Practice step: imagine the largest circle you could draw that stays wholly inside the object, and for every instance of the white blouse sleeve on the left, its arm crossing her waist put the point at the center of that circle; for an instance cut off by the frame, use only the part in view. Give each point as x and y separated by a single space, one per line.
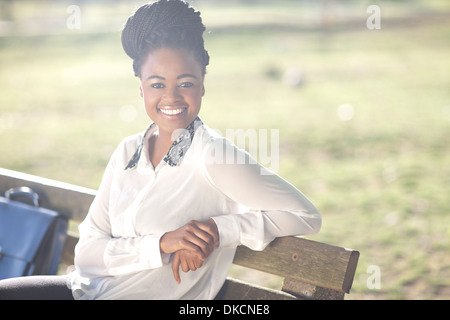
99 253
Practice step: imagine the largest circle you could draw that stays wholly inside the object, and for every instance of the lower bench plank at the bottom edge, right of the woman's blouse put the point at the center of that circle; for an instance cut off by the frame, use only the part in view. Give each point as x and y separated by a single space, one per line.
234 289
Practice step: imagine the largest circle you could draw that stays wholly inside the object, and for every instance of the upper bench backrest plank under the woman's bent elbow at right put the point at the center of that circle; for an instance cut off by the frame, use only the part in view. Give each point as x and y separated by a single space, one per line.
303 260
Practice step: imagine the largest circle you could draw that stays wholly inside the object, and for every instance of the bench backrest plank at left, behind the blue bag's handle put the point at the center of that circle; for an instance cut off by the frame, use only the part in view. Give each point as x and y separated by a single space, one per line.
70 200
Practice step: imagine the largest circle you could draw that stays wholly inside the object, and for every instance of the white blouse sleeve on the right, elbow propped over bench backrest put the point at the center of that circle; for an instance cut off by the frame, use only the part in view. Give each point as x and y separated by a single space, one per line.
275 207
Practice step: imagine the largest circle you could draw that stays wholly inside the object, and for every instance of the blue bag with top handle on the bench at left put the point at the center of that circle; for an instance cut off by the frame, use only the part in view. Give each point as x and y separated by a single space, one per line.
31 238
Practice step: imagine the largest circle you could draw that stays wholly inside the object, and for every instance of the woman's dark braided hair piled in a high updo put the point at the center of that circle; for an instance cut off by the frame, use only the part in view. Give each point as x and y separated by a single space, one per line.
165 23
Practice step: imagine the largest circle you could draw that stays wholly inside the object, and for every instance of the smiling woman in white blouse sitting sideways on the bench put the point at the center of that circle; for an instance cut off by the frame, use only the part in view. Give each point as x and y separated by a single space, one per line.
170 199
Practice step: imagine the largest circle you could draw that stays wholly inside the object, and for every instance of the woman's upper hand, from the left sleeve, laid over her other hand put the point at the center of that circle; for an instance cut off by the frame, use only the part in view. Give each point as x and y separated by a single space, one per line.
197 237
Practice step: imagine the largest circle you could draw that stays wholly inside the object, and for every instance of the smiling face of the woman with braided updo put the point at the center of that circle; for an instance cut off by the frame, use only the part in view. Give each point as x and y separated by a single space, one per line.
172 88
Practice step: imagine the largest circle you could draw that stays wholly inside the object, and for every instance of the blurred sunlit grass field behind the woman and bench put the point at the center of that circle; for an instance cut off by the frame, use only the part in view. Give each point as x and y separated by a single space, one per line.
359 91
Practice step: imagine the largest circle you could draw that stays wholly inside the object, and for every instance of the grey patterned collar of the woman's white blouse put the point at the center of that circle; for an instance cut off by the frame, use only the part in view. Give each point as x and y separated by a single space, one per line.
178 148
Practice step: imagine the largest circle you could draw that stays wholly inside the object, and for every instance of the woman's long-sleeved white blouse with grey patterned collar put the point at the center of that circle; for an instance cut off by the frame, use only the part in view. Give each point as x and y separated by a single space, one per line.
118 254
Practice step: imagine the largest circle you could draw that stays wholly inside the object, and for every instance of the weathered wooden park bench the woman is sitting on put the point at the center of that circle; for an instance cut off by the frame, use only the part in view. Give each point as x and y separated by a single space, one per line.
311 270
